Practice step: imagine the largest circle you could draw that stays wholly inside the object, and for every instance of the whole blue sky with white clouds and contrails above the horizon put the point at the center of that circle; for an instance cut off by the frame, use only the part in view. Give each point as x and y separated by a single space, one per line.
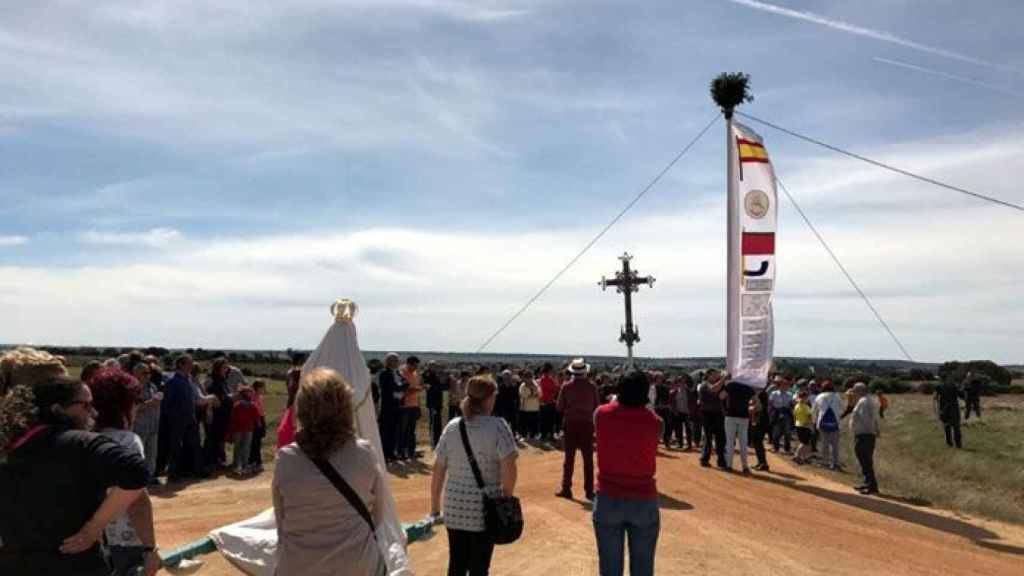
217 174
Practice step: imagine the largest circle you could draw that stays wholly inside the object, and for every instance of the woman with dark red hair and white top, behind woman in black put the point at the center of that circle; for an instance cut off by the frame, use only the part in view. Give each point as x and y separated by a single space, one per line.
116 397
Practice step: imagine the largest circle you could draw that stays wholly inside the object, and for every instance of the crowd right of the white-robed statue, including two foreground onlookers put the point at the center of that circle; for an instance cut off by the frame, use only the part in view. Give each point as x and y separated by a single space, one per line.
621 418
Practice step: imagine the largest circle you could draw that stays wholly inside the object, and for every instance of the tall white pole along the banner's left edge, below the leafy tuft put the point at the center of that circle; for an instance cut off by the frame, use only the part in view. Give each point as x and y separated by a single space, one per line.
733 265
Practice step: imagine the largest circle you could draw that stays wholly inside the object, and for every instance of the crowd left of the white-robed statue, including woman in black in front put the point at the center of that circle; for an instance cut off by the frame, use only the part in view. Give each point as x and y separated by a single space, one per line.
77 456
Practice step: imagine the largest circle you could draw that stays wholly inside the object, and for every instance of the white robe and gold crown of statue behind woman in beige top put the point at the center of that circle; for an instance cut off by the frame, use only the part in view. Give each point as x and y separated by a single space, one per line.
251 545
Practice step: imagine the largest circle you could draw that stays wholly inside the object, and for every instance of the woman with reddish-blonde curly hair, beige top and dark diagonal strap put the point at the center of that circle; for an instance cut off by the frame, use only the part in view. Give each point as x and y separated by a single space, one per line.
325 524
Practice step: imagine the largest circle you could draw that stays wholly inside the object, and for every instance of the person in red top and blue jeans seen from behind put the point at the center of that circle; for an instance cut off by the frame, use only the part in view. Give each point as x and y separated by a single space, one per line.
626 507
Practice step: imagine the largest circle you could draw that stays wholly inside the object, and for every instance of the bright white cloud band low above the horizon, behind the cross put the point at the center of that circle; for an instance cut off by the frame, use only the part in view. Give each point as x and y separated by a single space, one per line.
437 291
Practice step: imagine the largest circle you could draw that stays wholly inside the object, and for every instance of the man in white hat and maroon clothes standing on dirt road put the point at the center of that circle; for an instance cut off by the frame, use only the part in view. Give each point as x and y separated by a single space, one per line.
578 401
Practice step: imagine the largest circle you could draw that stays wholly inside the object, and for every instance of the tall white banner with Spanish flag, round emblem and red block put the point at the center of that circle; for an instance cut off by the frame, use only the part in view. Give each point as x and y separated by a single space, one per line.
753 222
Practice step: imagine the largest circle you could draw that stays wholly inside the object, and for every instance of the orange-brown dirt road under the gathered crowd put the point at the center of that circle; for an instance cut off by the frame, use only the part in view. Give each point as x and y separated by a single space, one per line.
786 522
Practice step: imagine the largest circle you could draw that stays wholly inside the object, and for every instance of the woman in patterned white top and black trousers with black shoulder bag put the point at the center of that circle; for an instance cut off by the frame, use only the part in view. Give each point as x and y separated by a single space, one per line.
471 548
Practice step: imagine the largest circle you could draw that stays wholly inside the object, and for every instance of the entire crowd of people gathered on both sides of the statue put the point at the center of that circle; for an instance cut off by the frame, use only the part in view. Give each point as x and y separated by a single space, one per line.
125 423
